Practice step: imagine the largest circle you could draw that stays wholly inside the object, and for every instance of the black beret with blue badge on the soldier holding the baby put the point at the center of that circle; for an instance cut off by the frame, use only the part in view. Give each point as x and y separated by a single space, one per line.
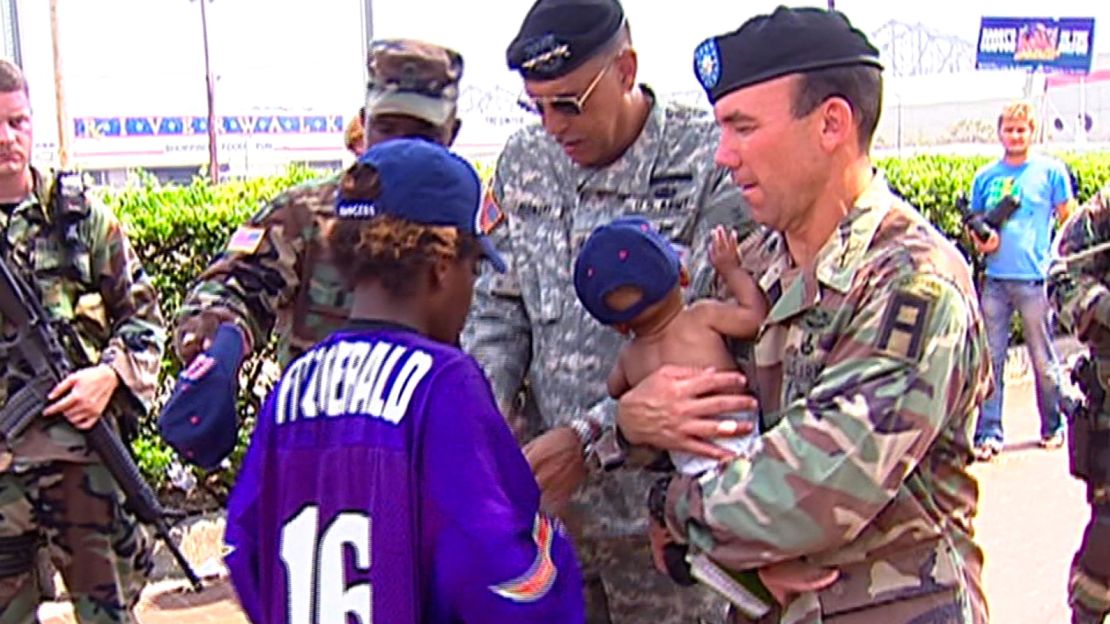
786 42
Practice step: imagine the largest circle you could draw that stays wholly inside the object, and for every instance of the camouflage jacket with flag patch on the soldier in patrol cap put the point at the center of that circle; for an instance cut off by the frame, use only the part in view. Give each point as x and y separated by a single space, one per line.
277 274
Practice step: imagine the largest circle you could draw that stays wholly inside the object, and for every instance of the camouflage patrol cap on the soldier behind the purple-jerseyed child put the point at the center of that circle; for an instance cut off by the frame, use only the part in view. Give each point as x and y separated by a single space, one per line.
415 79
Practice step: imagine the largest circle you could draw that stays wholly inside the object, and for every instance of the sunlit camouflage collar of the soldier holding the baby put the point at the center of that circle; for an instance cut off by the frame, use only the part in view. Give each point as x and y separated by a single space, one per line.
844 253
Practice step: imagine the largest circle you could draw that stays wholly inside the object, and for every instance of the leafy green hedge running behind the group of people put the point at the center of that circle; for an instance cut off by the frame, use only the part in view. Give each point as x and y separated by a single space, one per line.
177 230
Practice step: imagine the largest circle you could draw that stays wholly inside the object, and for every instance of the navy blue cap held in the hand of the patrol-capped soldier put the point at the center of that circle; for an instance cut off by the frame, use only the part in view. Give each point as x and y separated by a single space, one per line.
199 421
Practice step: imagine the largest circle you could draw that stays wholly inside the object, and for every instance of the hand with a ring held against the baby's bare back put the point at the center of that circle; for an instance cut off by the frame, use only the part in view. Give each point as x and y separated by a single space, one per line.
679 409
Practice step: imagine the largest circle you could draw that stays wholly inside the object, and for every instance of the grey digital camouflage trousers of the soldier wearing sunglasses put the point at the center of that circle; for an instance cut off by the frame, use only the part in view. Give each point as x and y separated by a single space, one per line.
622 587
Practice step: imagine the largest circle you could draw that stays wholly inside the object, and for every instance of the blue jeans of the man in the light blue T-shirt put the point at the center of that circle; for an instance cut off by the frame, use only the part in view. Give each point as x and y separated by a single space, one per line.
1000 299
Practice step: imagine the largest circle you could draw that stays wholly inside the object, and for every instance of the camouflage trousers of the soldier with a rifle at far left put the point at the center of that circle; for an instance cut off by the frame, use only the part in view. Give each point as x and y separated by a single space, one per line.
103 555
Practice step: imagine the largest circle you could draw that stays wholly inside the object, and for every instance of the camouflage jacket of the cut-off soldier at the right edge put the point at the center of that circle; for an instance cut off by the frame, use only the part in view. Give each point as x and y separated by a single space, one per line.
1079 280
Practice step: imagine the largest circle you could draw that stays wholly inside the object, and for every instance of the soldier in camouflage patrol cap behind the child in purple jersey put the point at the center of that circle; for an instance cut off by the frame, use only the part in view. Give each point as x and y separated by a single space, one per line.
277 270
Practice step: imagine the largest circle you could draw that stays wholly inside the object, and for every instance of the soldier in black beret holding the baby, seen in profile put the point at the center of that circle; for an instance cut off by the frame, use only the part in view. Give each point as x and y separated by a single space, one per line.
871 367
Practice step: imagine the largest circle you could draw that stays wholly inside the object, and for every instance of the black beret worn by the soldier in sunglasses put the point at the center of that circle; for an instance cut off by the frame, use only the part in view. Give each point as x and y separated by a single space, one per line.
559 36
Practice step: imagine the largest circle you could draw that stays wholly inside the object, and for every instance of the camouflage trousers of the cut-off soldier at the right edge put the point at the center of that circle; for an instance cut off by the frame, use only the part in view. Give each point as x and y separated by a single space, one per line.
1089 590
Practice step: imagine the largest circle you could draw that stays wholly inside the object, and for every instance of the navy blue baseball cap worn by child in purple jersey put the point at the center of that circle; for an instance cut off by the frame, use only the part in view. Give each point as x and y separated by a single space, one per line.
427 184
